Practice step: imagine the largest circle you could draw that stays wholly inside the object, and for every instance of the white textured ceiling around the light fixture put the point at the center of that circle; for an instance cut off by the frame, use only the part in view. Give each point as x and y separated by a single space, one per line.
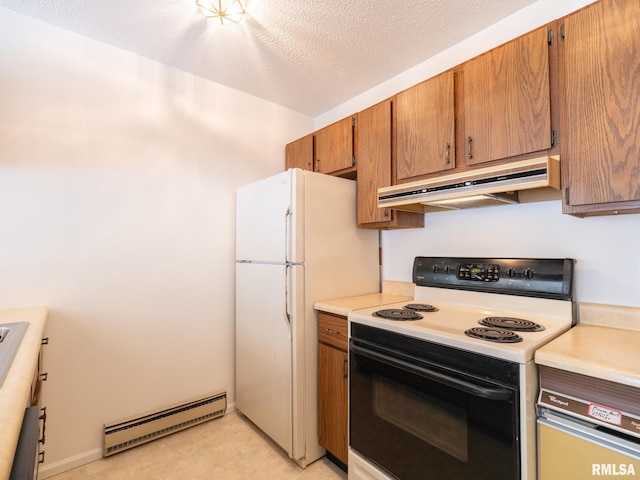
308 55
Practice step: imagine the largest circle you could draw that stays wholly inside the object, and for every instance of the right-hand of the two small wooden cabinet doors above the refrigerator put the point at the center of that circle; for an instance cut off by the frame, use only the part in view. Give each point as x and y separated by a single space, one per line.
334 146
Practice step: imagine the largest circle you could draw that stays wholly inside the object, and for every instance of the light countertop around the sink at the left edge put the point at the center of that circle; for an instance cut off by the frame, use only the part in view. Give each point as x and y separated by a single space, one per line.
15 392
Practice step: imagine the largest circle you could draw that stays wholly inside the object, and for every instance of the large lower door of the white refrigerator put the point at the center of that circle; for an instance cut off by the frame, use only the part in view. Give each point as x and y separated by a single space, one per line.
264 350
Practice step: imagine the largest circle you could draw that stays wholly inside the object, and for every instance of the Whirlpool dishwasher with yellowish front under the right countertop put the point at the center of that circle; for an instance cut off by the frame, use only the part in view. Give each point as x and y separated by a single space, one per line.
587 427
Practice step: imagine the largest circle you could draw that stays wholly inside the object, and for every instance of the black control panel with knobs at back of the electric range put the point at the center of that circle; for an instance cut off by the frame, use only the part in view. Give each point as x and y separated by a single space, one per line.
551 277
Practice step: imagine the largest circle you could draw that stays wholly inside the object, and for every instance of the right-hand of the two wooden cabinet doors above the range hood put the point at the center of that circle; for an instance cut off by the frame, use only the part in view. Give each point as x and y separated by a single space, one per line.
507 107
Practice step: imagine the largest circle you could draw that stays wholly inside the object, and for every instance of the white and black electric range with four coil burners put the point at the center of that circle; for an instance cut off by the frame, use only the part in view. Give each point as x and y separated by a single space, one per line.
420 378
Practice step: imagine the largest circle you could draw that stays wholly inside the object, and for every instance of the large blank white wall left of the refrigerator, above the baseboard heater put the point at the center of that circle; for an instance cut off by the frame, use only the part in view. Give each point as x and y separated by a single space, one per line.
117 184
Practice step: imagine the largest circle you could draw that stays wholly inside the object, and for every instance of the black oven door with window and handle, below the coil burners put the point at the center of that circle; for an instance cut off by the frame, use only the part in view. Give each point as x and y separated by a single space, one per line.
420 419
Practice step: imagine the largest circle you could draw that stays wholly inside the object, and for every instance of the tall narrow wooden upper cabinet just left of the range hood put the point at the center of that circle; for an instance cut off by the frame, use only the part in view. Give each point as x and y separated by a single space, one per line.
374 153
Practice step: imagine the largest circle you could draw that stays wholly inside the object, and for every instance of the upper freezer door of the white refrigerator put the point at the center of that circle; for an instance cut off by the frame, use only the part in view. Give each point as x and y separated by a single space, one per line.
266 215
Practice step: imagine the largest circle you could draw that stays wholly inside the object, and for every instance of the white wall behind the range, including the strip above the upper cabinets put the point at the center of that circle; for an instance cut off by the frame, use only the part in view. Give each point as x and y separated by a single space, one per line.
606 248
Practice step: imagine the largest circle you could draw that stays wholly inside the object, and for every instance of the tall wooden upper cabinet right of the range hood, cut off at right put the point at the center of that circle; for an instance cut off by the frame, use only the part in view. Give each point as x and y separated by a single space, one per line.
600 108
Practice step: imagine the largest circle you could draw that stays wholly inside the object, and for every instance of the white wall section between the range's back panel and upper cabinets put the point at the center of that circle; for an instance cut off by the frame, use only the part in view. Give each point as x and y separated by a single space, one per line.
605 248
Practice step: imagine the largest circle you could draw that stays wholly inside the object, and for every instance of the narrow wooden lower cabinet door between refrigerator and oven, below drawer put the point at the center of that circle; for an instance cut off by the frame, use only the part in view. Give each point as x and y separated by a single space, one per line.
333 371
